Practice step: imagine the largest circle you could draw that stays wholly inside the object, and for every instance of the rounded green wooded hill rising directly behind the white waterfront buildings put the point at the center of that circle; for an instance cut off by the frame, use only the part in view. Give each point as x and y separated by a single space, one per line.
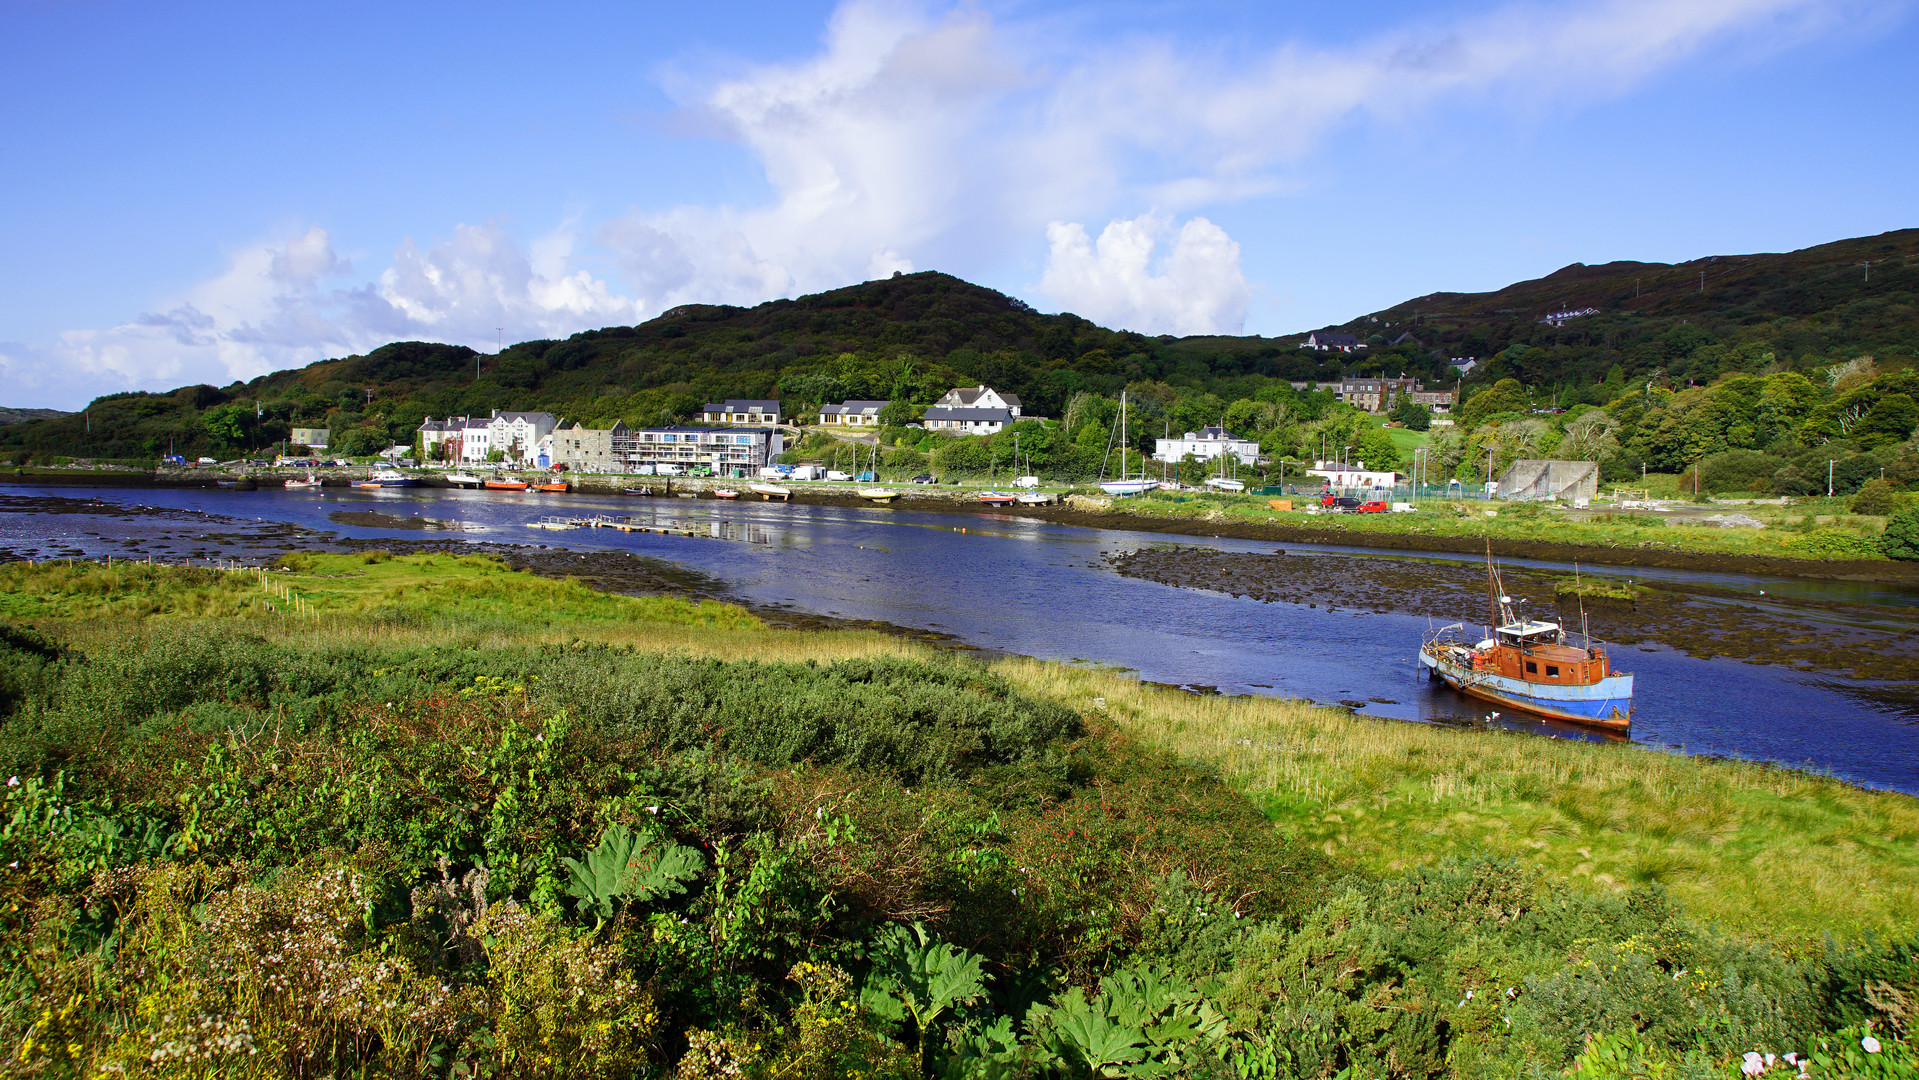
911 337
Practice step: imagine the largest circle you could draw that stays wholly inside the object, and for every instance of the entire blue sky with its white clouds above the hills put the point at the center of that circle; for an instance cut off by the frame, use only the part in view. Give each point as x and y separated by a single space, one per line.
208 193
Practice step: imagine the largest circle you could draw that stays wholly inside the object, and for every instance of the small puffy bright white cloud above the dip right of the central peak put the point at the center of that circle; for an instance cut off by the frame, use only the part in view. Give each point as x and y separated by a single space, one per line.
1195 289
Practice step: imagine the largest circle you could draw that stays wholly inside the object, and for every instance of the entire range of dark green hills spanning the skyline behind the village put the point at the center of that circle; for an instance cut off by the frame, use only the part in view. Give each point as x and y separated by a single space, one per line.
914 337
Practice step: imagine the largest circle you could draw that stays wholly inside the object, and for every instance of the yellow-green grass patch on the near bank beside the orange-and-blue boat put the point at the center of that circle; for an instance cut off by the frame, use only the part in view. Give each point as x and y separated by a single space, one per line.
1770 851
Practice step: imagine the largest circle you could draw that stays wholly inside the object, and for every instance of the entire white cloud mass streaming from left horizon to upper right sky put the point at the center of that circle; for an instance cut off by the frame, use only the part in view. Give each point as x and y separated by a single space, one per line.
937 139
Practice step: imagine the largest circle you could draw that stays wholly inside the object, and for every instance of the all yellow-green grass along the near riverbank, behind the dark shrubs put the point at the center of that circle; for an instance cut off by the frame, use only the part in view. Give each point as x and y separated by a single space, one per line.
1770 851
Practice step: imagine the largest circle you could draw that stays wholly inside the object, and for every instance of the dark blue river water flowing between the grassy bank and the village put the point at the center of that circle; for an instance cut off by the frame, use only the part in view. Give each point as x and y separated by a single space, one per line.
1031 588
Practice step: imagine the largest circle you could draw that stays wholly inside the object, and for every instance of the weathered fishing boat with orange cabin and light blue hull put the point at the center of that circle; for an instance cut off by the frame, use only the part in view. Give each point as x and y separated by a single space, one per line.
1530 665
